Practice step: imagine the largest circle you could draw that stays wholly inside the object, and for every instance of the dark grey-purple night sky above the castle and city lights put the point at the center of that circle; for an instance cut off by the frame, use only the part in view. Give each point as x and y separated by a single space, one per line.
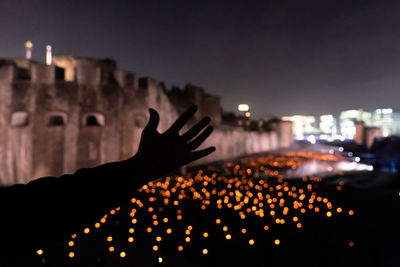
281 57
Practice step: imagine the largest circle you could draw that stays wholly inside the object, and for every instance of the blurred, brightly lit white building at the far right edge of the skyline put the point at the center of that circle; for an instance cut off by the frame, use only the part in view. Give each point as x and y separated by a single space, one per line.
388 120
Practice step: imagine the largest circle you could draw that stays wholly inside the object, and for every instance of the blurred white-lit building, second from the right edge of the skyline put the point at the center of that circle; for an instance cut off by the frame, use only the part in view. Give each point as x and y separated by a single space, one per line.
347 119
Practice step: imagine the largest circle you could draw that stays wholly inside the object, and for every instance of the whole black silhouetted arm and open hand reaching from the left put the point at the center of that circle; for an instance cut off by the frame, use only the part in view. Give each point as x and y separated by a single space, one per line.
49 209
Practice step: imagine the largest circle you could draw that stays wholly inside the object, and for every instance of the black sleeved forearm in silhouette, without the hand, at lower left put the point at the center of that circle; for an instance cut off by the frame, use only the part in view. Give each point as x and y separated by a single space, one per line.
50 209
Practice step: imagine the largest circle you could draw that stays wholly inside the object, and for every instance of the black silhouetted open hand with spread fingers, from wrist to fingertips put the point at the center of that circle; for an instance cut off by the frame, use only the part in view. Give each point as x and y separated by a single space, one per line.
159 154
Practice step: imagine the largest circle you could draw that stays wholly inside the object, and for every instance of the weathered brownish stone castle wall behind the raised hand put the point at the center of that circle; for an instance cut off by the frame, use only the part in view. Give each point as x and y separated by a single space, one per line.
83 112
